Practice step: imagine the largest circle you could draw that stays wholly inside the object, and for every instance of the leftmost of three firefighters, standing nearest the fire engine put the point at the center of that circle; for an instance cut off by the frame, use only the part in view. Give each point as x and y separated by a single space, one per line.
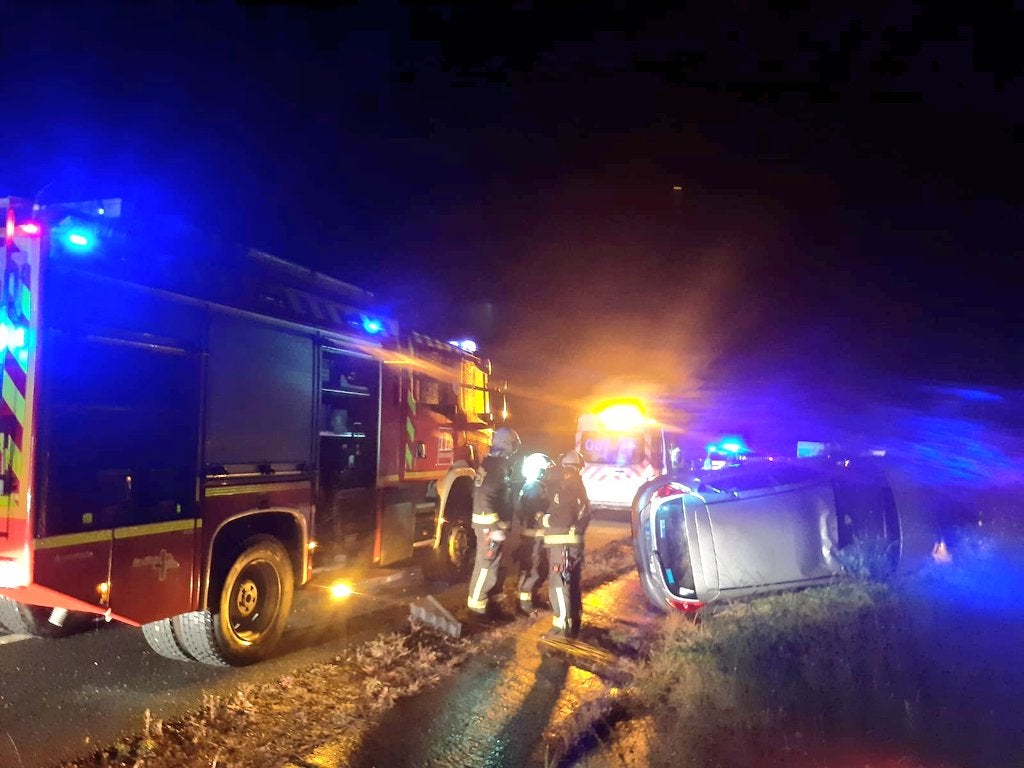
492 519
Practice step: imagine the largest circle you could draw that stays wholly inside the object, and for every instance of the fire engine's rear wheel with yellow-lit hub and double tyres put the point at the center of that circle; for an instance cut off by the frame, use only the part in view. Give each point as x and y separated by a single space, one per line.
250 614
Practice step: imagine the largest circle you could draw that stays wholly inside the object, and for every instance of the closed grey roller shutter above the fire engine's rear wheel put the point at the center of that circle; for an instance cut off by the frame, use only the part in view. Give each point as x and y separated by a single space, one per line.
260 395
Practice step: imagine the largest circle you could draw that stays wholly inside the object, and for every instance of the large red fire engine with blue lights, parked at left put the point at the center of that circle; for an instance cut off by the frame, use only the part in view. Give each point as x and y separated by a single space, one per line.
187 425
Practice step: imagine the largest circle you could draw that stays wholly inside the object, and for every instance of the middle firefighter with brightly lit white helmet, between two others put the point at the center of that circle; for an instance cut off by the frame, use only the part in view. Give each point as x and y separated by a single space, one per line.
533 505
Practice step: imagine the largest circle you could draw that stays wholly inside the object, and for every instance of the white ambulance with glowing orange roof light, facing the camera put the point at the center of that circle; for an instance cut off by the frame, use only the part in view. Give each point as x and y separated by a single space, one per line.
623 449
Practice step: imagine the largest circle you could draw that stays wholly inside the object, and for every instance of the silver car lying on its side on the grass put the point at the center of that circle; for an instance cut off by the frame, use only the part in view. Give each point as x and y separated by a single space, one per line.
765 526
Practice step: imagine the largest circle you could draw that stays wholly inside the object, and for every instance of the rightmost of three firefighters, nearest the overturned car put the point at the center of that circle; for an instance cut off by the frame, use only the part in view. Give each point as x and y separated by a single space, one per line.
566 524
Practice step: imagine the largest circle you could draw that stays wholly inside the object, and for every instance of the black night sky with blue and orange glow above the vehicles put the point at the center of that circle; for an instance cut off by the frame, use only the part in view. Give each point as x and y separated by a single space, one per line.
850 182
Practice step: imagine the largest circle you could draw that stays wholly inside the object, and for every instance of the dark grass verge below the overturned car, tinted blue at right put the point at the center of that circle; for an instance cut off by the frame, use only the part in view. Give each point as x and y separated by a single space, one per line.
919 672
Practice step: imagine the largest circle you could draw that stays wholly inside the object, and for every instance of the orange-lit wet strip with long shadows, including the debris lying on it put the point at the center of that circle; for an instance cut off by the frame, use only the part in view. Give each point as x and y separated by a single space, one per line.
527 700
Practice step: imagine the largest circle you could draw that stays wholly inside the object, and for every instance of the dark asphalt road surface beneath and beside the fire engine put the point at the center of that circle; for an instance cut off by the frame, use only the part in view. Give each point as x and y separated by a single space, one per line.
61 700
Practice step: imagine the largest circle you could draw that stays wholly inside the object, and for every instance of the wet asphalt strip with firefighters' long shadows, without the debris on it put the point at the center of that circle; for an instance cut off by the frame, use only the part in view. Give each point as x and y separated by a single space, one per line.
506 708
